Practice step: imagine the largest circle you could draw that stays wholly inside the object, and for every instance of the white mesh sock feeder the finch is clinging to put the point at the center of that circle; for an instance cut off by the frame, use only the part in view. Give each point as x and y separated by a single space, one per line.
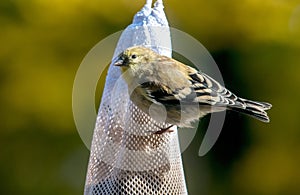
126 156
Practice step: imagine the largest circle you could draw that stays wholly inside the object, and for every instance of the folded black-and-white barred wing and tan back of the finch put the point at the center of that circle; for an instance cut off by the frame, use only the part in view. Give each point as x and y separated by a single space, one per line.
182 83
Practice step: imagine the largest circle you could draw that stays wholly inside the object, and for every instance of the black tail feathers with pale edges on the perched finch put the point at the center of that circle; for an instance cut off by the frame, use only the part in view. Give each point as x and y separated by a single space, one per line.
254 109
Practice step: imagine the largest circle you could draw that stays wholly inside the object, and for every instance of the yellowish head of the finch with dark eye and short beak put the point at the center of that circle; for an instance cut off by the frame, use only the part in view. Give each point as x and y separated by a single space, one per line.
133 58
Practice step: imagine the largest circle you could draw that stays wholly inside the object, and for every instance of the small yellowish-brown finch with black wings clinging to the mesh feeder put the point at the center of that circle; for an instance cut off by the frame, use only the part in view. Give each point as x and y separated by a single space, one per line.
187 94
